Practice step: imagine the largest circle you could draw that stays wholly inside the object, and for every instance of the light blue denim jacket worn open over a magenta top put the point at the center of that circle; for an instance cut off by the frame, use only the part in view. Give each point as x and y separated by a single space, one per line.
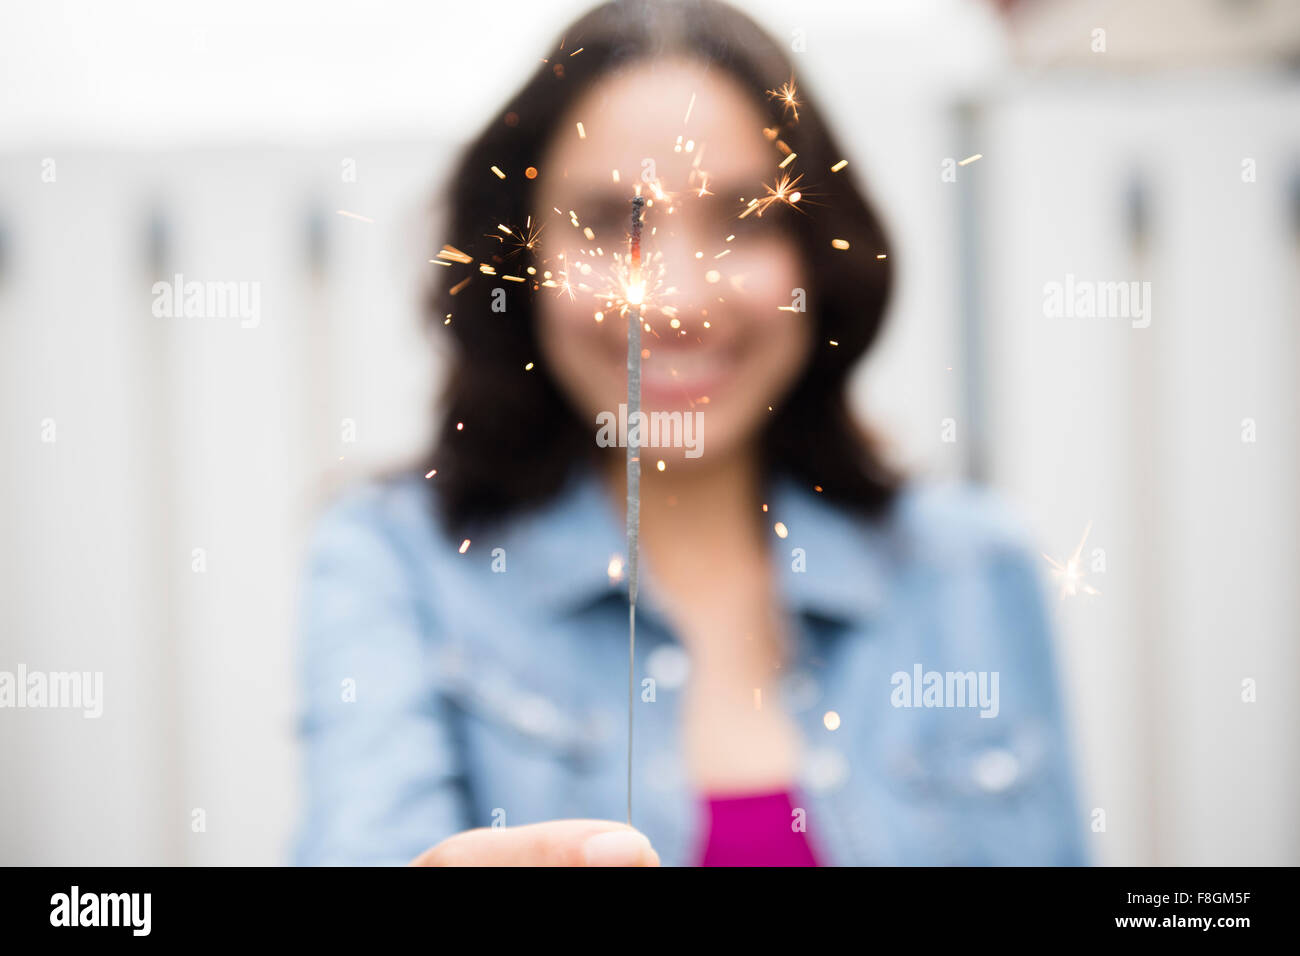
444 691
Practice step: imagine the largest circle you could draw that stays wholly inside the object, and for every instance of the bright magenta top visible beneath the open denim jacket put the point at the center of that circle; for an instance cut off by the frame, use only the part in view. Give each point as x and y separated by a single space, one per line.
755 830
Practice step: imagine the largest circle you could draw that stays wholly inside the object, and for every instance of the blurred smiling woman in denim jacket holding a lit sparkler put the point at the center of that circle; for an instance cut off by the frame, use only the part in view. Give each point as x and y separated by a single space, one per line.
833 667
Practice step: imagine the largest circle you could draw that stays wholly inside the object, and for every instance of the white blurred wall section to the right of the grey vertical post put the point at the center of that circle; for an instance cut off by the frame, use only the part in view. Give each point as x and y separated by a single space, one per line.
1139 431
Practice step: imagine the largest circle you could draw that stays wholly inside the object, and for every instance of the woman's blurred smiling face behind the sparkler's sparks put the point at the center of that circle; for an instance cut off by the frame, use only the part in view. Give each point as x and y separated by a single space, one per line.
718 341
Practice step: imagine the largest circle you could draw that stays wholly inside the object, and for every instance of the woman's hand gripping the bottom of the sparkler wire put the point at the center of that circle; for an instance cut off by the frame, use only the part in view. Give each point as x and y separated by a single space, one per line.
556 843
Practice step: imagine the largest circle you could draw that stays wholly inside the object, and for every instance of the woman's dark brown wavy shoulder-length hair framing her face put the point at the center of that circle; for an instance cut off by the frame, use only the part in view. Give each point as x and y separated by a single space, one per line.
522 438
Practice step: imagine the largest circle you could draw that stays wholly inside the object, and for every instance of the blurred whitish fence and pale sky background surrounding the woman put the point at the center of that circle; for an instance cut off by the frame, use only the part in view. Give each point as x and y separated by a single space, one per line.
161 474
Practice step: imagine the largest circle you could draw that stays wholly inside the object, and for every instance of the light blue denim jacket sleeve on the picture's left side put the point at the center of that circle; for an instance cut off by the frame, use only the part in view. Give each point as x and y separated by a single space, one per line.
382 772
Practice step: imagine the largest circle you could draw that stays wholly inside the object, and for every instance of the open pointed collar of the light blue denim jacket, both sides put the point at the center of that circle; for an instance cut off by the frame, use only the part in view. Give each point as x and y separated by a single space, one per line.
565 552
